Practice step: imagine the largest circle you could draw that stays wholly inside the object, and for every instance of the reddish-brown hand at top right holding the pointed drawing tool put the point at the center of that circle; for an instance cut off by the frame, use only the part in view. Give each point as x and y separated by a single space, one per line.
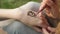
51 8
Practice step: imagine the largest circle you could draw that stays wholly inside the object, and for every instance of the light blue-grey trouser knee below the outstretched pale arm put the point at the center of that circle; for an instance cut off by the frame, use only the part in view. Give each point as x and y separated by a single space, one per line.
14 27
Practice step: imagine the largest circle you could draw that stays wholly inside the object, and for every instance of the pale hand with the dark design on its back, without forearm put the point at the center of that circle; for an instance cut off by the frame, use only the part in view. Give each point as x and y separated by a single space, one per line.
34 22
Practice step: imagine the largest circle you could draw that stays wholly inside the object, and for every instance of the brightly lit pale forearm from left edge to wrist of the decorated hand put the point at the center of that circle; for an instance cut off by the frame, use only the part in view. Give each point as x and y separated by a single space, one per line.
8 13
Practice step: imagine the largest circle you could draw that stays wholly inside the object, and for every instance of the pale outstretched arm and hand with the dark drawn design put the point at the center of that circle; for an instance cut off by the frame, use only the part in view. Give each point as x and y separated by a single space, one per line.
21 15
